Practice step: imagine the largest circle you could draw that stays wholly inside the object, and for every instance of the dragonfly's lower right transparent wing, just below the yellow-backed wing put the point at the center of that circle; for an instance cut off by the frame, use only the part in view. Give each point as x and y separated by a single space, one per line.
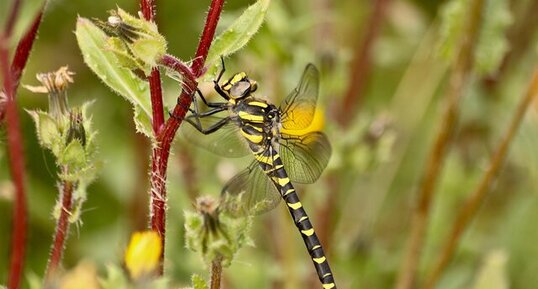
305 157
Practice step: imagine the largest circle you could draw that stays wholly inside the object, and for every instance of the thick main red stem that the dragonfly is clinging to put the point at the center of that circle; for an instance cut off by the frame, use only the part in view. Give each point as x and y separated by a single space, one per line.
165 137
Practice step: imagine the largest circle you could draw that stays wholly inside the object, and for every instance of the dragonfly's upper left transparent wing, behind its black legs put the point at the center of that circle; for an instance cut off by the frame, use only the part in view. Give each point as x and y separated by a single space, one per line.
226 141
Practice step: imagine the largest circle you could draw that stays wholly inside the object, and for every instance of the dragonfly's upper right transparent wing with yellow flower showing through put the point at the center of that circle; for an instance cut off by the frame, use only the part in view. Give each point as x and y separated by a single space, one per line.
299 106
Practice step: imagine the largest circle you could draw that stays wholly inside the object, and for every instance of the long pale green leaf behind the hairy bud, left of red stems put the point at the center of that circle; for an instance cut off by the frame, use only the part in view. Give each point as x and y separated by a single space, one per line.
103 62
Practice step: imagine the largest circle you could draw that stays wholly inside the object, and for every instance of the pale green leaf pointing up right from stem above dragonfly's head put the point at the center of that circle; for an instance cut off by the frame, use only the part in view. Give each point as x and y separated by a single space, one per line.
236 36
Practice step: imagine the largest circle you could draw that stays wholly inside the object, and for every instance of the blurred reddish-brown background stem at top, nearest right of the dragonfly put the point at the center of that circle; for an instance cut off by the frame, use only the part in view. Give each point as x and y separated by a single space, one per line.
361 64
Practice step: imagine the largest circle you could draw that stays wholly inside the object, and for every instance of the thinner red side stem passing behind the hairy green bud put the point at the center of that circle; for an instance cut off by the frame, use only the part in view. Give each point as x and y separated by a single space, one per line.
157 111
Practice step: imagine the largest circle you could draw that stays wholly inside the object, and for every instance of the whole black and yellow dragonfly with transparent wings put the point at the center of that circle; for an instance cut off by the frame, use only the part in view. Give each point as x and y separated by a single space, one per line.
284 149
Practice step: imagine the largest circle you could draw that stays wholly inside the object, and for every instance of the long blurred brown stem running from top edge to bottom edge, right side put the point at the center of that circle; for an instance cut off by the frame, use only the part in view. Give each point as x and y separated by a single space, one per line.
435 161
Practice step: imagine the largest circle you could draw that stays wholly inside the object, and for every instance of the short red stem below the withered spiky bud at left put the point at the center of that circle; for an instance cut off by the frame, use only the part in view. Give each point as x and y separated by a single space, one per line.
61 233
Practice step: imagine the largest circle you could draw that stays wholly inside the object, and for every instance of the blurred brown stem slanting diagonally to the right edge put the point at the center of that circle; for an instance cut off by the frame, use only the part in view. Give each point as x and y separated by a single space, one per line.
472 204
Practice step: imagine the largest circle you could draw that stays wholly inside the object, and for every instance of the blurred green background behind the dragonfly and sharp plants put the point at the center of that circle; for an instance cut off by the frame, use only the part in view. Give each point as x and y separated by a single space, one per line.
362 205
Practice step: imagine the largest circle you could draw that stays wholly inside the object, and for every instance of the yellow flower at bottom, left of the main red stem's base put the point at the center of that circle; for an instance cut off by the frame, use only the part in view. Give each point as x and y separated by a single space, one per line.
142 255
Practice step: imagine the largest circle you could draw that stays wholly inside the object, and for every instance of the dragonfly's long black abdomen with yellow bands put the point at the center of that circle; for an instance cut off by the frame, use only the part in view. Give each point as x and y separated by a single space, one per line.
272 165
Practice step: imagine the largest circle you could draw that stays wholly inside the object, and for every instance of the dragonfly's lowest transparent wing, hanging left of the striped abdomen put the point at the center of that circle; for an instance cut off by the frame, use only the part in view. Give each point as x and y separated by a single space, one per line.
250 192
